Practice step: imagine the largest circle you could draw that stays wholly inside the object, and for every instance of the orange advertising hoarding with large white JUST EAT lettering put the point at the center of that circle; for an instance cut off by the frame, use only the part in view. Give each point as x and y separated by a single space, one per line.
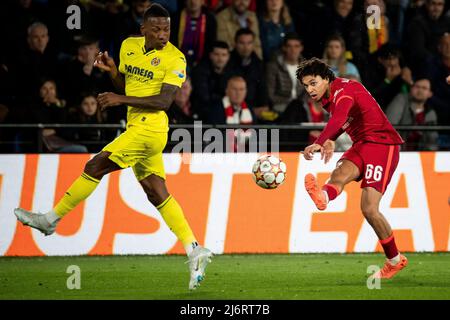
227 211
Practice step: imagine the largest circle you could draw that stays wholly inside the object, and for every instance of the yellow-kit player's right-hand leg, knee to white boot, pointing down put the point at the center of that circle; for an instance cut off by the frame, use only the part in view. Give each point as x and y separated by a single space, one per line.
199 257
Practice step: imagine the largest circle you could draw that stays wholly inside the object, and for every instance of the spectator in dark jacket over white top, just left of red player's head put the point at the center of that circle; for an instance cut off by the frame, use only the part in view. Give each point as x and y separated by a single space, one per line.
282 82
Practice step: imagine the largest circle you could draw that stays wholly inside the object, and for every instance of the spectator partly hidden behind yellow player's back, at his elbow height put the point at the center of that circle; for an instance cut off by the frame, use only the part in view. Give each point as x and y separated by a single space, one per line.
180 111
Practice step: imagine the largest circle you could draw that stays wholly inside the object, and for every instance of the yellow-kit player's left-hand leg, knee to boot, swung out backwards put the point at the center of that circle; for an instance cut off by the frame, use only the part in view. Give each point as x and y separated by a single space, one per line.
80 189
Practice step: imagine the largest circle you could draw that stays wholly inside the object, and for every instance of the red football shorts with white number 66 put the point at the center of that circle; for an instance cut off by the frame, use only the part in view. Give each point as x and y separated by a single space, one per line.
376 163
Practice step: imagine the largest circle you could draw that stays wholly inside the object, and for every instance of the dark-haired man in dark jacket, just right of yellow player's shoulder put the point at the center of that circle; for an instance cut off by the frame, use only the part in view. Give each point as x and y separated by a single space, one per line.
209 79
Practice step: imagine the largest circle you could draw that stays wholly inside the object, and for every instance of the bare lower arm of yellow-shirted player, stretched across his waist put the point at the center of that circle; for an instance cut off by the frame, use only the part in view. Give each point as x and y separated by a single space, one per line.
160 102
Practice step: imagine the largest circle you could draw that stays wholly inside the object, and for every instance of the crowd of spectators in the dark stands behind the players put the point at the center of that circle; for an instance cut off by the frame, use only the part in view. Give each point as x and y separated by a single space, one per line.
242 56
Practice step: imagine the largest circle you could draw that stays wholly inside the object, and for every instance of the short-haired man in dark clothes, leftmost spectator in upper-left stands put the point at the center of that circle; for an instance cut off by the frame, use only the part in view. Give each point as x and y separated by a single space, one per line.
33 65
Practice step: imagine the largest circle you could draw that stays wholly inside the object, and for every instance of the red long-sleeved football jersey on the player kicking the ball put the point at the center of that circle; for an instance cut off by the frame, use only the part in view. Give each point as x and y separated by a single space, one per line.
353 110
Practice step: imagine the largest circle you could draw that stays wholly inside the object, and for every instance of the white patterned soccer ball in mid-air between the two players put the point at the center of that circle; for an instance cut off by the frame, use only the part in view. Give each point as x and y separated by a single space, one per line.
269 172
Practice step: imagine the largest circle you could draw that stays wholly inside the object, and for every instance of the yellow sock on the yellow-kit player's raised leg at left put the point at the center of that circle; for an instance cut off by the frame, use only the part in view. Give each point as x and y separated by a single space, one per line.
78 191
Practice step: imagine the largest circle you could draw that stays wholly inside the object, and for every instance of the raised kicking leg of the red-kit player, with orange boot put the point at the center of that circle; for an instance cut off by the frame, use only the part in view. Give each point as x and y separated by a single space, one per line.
345 172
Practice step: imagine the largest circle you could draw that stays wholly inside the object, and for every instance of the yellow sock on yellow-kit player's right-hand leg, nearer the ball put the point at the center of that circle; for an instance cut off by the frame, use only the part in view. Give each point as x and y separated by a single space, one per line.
174 217
